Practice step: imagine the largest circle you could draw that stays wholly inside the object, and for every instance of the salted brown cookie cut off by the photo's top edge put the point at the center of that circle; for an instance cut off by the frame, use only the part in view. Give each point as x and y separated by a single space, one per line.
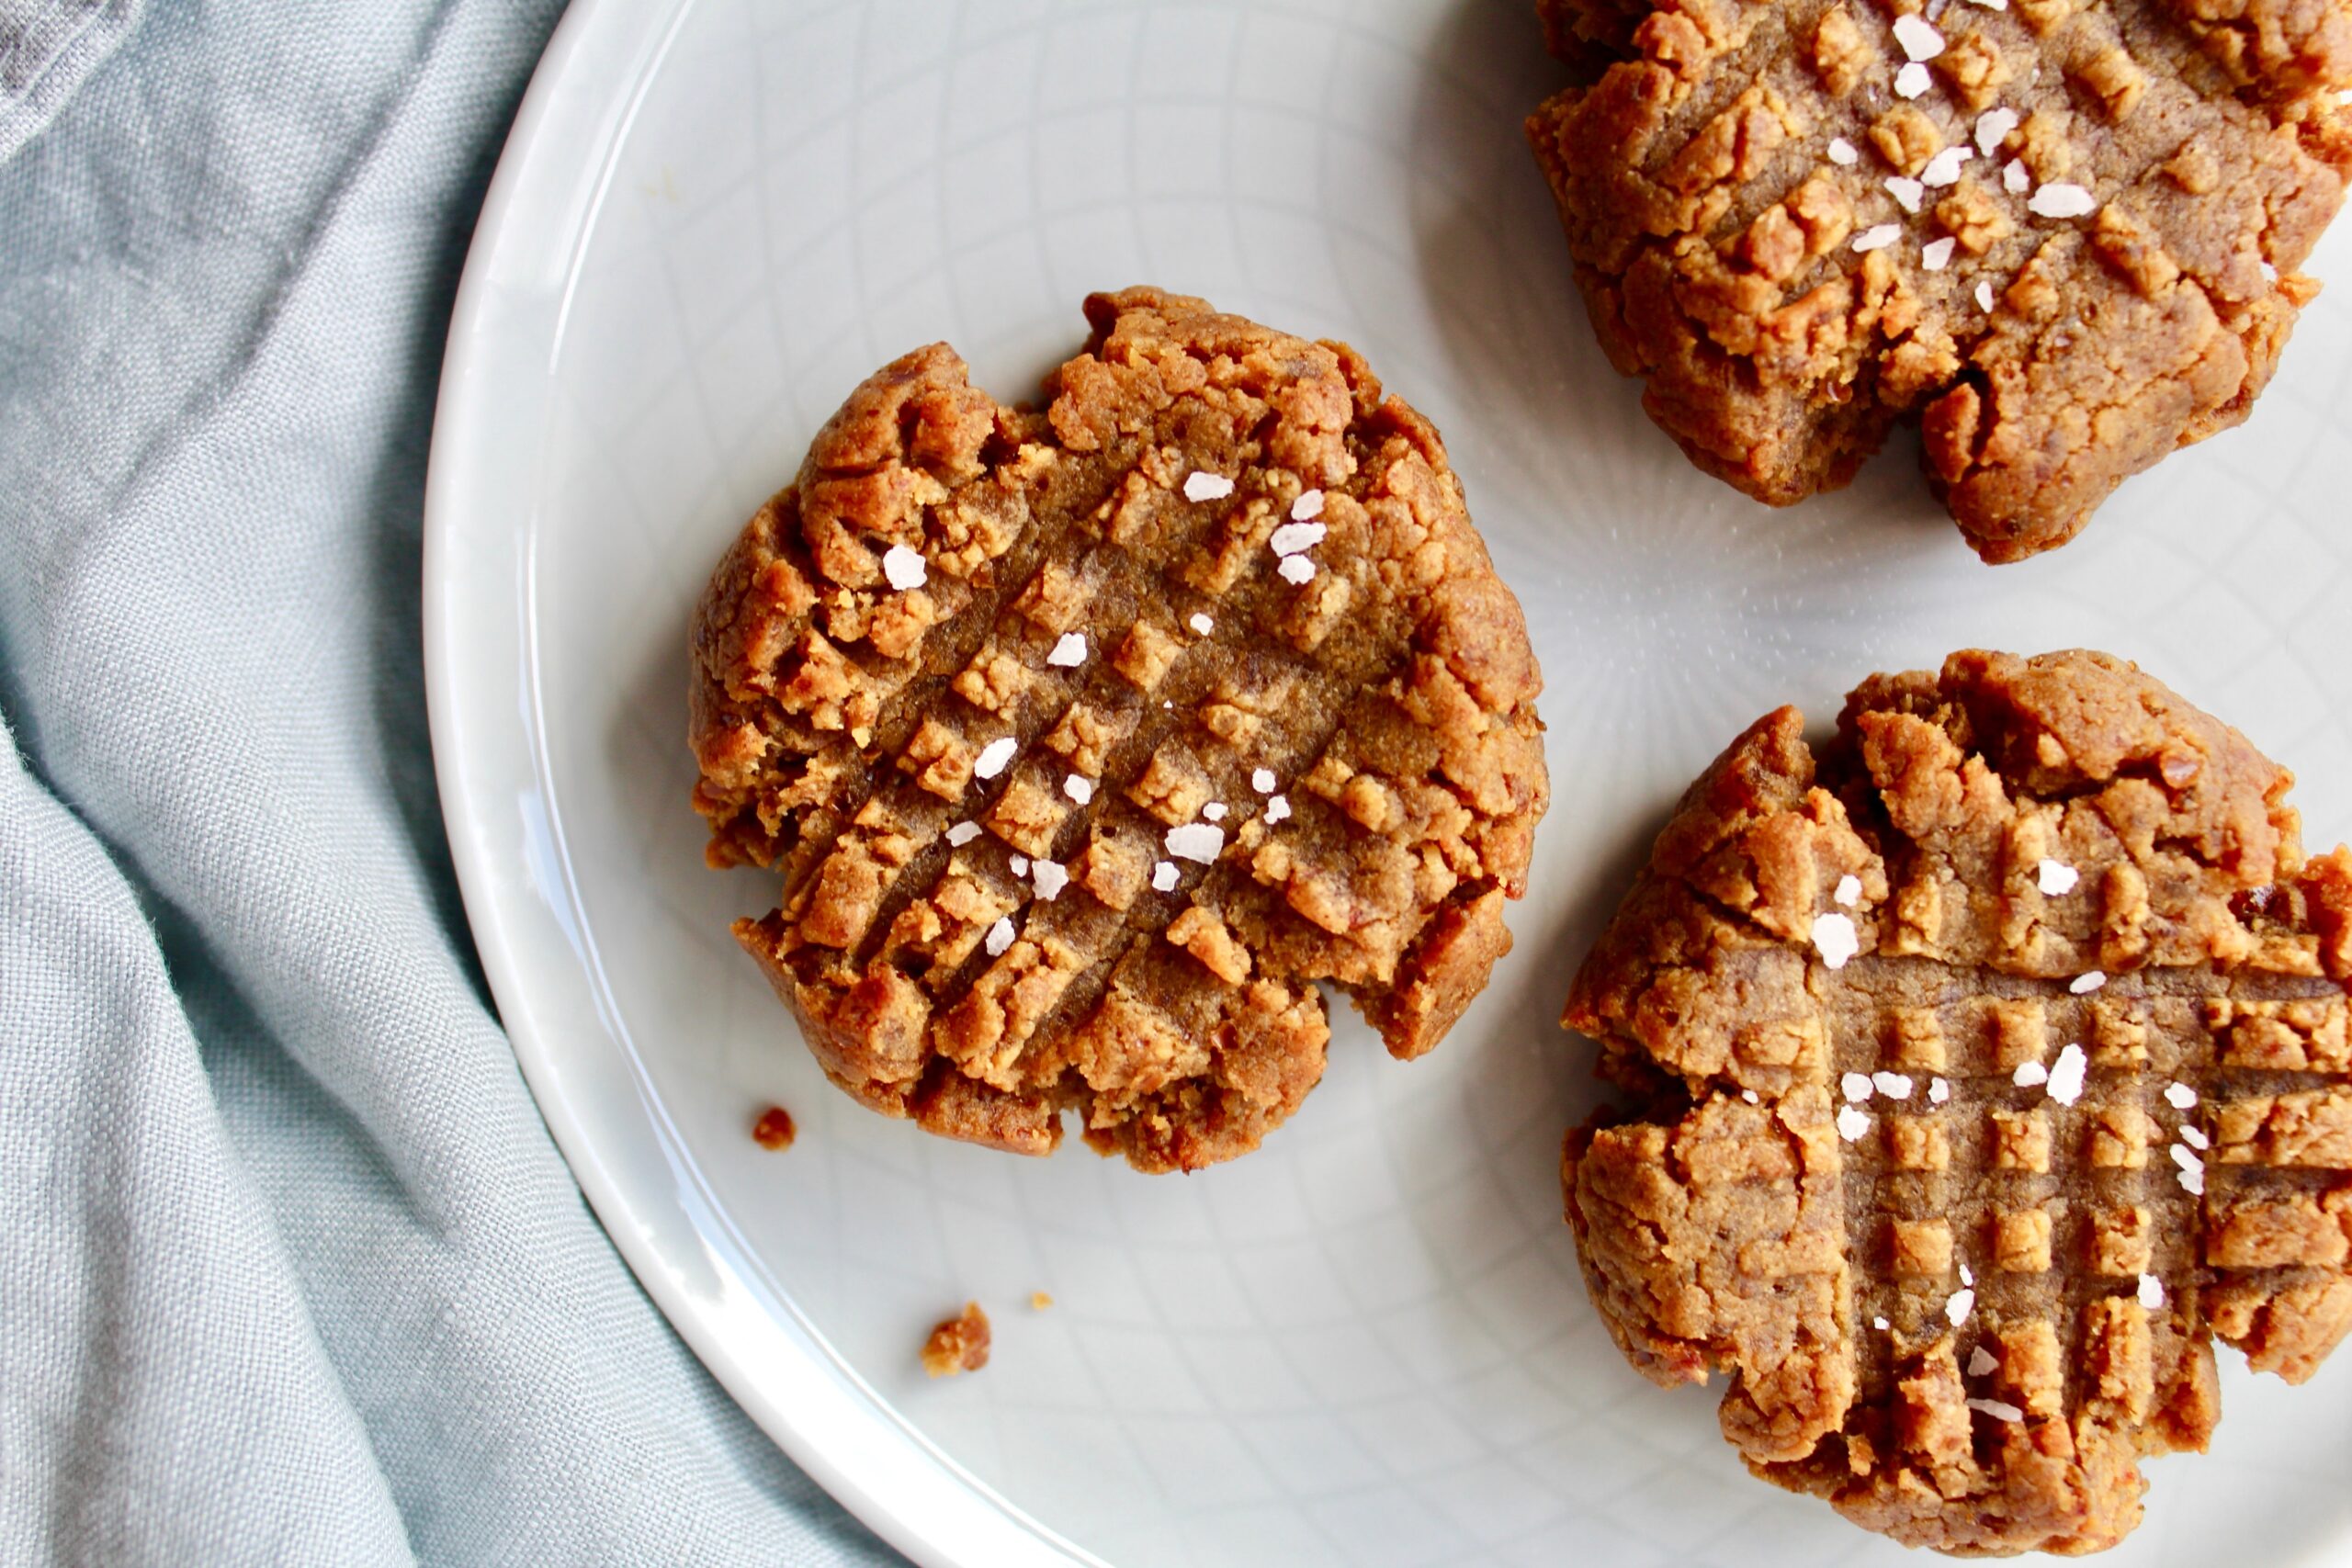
2064 236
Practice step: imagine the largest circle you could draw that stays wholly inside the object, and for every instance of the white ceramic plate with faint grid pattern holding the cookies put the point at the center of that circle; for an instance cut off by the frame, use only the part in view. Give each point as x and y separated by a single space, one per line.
1365 1343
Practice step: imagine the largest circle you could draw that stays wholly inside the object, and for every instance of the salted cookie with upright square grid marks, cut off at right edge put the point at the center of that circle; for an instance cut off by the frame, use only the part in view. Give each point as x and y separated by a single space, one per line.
1989 1066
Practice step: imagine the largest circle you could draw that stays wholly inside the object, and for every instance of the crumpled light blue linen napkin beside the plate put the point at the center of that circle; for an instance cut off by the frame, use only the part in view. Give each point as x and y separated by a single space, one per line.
290 1271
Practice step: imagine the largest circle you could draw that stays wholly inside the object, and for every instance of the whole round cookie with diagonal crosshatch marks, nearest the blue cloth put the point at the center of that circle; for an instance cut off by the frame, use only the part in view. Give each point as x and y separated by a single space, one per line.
1088 739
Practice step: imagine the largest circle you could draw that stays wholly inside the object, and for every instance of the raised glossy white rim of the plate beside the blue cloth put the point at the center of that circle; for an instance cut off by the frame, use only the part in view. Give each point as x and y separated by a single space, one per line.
900 1485
